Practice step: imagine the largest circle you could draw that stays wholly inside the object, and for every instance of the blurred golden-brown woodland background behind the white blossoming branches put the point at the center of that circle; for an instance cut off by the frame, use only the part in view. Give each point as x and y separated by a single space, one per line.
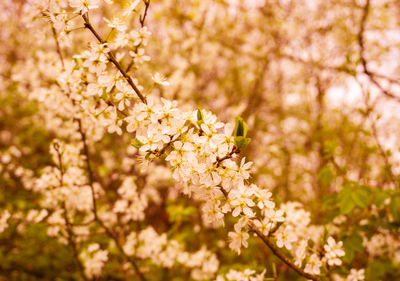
317 82
